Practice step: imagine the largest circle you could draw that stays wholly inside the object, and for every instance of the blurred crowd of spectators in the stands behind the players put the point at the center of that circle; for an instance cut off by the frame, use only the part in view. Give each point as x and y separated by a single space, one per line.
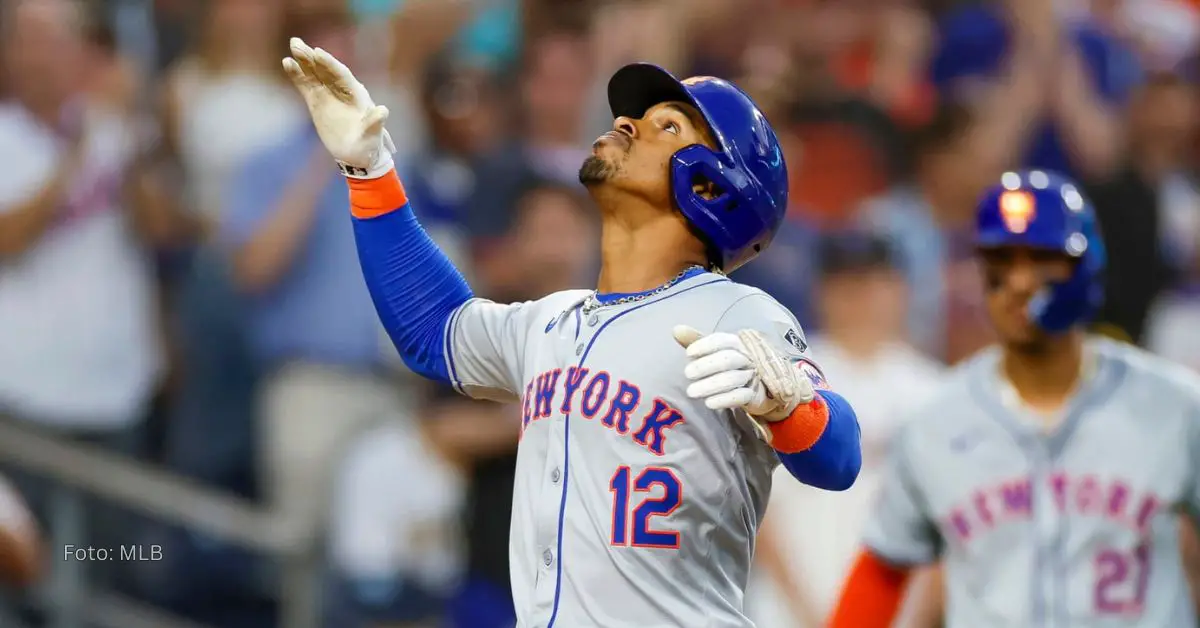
179 282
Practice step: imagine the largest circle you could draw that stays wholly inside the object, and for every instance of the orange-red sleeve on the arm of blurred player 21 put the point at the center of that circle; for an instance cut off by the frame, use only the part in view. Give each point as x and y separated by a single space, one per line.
872 596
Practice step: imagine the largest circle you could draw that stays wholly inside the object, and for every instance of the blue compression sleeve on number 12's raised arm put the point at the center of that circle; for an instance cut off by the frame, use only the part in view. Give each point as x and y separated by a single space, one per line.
413 284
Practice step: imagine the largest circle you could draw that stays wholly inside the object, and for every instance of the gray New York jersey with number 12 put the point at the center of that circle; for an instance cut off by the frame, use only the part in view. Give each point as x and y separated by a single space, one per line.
634 505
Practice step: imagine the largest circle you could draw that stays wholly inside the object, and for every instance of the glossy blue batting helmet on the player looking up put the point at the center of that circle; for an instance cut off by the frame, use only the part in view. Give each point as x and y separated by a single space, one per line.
747 168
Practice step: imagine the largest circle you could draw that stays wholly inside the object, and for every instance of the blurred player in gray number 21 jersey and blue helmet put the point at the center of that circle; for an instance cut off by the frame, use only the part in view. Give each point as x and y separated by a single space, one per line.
1049 474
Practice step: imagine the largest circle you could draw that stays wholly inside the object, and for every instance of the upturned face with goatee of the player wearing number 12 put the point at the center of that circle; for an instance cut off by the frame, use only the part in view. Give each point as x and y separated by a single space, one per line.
635 157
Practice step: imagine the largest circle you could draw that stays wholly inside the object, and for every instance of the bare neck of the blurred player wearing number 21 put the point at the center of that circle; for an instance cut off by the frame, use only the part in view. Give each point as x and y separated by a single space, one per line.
1047 376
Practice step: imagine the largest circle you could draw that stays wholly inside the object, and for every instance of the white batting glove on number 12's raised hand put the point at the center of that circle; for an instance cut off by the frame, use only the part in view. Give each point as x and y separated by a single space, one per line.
349 122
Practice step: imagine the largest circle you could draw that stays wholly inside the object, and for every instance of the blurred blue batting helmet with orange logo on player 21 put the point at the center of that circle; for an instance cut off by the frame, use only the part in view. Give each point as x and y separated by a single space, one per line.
1046 211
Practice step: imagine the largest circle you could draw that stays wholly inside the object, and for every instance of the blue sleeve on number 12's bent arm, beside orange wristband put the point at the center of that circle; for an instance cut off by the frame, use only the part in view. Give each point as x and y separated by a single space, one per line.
833 463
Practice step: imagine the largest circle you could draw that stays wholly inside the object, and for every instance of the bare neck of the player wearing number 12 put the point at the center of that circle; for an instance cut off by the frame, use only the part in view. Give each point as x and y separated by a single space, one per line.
641 254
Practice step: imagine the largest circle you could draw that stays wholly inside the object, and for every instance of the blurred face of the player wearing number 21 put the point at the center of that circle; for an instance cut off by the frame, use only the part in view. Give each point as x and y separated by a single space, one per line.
1013 277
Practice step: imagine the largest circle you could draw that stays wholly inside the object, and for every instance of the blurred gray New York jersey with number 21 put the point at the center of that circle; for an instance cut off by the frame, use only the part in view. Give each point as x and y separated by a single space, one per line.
1072 528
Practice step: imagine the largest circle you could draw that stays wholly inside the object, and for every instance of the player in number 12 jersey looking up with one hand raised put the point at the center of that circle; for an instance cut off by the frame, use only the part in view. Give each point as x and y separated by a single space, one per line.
655 408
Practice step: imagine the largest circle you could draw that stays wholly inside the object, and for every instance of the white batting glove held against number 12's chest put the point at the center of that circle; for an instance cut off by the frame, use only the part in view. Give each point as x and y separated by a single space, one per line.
742 372
